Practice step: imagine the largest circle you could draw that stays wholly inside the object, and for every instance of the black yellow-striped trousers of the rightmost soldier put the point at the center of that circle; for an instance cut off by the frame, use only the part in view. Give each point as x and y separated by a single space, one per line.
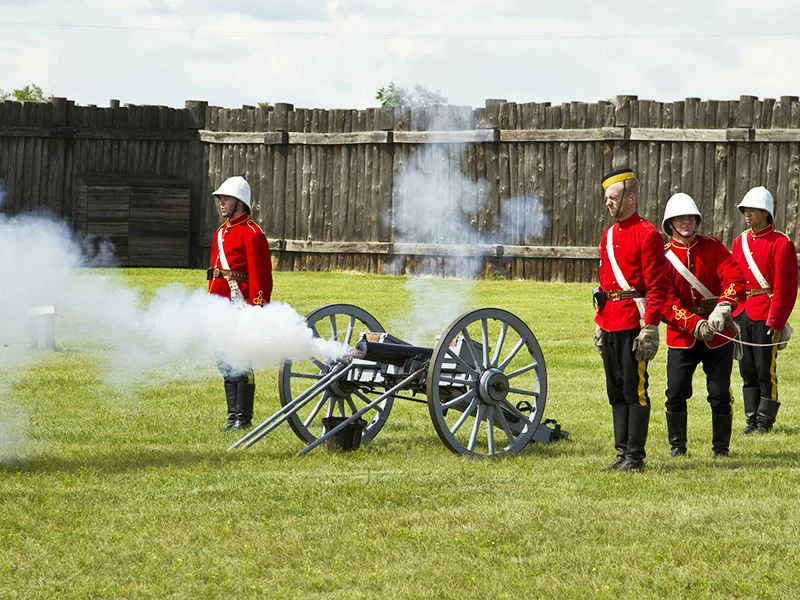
758 364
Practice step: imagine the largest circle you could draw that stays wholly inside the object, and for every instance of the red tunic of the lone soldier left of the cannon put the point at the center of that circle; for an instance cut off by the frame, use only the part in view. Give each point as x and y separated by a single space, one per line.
247 251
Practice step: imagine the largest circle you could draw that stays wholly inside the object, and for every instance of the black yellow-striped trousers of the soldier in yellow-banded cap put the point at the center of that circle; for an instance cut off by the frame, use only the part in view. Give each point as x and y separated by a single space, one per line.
626 378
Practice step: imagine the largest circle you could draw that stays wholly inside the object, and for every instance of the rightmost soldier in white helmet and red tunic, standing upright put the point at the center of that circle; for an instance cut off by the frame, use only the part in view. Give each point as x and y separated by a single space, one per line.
768 260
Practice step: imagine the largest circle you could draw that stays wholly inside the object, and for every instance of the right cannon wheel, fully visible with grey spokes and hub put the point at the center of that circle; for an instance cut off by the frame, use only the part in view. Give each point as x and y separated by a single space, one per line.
486 384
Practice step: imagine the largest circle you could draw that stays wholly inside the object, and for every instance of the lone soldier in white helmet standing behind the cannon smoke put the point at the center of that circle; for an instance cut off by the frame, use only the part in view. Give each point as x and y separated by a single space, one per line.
241 270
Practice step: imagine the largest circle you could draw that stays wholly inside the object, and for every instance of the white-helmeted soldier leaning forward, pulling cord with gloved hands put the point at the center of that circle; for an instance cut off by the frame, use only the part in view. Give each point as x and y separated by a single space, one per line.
707 285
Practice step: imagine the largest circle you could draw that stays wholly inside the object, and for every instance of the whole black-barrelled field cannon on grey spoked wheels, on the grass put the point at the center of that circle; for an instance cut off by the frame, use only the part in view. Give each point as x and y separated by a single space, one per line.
484 383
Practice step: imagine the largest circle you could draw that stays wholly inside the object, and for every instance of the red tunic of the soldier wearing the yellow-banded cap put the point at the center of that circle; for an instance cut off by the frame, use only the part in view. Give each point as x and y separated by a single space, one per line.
639 251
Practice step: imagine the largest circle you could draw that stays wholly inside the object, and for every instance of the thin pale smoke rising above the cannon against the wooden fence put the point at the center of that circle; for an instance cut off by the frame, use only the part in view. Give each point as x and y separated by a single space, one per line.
436 202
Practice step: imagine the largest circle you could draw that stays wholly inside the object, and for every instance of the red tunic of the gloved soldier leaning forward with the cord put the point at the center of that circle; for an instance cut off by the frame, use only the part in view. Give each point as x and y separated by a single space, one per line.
708 260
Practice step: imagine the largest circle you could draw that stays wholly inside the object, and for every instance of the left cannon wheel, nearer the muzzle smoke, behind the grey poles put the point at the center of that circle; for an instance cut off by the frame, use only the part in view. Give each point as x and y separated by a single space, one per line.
343 323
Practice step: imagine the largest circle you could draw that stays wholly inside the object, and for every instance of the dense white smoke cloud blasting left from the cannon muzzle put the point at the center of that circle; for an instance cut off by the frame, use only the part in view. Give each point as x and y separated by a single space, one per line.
179 334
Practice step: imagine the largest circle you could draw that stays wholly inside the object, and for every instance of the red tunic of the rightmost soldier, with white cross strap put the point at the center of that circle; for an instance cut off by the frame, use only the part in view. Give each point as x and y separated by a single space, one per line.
776 258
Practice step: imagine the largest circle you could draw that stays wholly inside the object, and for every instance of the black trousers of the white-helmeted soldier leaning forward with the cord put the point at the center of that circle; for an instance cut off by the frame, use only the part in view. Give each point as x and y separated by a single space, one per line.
717 365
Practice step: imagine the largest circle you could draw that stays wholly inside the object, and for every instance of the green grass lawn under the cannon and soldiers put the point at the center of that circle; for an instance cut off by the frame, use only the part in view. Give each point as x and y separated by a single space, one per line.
110 491
